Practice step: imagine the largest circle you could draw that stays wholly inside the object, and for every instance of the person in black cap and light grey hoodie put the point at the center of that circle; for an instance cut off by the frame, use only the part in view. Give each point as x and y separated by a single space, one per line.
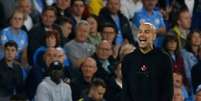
52 88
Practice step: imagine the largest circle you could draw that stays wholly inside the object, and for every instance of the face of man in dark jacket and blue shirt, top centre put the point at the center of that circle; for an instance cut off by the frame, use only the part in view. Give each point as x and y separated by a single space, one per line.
114 6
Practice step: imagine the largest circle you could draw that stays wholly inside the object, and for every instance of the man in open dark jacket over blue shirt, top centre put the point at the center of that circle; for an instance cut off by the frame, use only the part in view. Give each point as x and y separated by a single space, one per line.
111 14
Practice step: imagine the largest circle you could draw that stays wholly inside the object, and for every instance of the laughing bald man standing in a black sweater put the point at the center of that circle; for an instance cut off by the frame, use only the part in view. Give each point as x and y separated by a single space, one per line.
147 73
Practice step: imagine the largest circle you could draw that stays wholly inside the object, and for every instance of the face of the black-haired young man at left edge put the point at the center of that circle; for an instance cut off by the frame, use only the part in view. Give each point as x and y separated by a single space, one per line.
10 53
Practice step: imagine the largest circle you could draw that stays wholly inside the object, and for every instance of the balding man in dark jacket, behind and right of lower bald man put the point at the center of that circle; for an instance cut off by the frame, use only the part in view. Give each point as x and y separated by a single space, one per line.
104 61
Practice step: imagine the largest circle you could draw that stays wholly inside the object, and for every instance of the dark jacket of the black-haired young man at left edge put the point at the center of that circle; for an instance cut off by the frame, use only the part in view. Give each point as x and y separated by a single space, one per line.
11 79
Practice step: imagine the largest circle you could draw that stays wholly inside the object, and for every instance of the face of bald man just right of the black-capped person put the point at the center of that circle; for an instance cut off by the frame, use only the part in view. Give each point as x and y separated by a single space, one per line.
89 68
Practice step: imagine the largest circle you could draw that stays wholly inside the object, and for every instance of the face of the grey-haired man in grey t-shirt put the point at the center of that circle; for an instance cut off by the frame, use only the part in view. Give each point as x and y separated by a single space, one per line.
82 33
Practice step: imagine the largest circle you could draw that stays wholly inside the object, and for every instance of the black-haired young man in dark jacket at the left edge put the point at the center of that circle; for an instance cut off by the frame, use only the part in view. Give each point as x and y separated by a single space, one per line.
11 79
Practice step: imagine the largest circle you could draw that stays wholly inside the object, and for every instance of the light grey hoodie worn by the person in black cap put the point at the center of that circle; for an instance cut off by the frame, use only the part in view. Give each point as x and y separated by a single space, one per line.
49 91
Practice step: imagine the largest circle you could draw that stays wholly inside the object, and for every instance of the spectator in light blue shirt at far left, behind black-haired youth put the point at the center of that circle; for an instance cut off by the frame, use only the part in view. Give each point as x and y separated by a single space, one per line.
14 32
